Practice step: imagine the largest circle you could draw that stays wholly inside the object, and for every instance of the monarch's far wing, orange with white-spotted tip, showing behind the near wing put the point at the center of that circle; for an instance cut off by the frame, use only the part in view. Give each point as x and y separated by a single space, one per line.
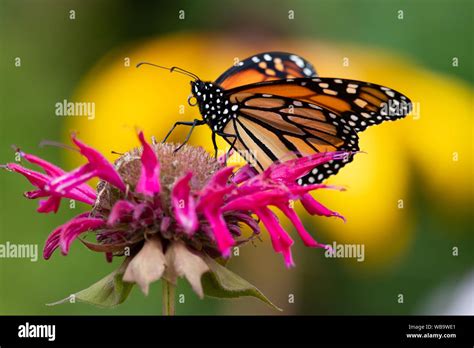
267 66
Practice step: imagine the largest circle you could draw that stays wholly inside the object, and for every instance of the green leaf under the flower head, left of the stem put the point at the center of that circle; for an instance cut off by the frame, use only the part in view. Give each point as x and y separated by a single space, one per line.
107 292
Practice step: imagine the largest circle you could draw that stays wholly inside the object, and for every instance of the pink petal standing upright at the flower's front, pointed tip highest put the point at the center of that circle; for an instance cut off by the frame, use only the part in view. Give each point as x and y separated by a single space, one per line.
149 182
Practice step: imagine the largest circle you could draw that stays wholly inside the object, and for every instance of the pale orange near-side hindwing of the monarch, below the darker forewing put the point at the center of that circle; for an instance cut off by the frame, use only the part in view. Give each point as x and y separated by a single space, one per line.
277 129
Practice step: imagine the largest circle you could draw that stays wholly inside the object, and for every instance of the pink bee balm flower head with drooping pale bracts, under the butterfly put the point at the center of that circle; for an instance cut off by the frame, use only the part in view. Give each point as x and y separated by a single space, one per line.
168 210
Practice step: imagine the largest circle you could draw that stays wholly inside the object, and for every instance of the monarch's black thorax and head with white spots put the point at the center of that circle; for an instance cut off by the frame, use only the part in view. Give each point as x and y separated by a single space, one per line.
215 107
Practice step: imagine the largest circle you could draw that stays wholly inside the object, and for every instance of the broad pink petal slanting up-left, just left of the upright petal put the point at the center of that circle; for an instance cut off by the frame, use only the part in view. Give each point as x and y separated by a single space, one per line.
98 165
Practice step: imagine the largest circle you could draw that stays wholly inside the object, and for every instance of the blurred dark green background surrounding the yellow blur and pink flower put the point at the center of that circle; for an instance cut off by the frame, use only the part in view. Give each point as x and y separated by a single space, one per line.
57 53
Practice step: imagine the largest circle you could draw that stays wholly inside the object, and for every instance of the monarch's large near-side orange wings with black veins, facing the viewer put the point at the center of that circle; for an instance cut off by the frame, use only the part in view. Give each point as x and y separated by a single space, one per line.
293 117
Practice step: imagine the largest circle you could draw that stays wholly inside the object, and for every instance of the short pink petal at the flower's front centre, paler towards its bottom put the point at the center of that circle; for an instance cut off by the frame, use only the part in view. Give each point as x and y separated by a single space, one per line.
184 206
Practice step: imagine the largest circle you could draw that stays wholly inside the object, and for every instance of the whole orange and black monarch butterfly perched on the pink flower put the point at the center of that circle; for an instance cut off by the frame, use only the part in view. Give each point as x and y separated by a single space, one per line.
273 105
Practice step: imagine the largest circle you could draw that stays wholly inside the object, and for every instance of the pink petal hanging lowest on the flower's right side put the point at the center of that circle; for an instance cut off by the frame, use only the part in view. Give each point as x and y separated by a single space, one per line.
281 241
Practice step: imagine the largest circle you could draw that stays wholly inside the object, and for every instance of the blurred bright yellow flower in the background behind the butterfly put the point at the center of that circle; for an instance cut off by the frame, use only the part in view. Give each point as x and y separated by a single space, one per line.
436 139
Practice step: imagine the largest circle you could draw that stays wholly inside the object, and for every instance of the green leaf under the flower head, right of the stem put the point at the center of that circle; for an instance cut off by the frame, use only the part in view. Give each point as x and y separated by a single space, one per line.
223 283
